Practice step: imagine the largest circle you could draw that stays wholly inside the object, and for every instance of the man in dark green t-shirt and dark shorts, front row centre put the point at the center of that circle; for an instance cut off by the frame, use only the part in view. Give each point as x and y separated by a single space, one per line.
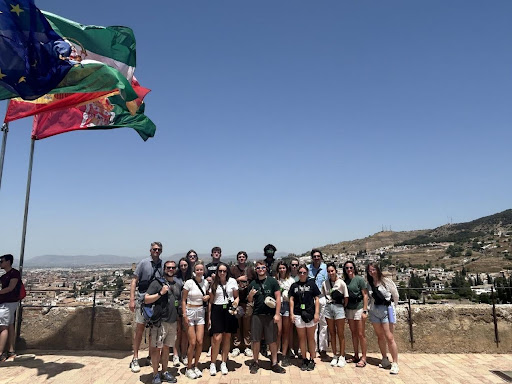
265 316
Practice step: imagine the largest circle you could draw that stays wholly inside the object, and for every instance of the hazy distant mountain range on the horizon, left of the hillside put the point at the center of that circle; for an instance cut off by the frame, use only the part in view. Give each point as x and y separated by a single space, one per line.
63 261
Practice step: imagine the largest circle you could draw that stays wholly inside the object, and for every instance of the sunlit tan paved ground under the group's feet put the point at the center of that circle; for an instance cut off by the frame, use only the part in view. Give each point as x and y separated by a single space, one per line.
84 367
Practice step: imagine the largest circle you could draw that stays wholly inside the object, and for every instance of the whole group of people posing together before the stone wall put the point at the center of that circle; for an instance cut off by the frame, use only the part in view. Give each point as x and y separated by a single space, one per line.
275 305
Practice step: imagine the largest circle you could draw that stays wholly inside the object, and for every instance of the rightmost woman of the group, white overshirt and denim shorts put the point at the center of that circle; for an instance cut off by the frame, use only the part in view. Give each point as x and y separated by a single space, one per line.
383 299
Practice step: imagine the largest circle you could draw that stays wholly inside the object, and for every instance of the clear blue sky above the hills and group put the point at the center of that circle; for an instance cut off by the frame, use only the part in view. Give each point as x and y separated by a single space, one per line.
298 123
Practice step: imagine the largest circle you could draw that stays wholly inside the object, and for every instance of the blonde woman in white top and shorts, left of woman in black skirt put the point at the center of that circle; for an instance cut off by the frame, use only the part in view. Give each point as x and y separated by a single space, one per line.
194 299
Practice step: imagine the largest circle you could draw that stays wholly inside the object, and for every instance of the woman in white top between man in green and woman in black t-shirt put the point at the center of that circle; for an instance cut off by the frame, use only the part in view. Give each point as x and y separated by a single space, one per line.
284 325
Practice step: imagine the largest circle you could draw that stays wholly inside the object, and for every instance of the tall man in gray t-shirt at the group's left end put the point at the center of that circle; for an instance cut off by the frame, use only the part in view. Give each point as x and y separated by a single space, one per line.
146 270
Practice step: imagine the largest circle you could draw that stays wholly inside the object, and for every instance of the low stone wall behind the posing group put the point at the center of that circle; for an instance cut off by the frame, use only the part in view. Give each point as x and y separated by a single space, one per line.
436 329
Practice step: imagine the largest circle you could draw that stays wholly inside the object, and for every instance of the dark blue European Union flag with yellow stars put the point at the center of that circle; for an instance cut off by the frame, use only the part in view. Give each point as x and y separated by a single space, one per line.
31 52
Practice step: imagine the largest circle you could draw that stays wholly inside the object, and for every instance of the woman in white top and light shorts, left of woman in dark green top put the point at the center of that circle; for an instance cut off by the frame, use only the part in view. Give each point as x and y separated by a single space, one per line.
336 293
